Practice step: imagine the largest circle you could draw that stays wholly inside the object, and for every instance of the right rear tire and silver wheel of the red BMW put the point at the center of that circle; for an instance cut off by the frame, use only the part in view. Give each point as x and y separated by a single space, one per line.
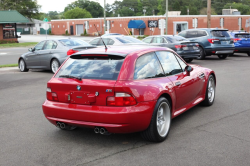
160 122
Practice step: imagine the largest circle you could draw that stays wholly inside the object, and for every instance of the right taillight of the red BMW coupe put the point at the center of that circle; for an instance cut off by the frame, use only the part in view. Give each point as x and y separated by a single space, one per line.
121 99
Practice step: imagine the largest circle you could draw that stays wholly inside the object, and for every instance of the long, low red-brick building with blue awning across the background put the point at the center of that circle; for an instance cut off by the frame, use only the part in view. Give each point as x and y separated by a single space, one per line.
120 24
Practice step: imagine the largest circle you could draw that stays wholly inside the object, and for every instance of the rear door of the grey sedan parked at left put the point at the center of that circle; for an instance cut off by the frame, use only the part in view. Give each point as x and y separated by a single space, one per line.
46 53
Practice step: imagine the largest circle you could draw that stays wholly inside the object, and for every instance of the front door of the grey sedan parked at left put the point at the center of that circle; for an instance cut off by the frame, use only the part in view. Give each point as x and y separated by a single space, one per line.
32 60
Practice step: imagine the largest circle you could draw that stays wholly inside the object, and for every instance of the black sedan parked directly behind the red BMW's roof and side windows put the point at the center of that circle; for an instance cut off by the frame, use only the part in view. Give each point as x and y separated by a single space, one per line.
186 49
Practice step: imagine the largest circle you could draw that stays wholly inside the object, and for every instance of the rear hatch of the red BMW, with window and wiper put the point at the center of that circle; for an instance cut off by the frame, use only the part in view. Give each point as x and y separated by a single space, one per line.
85 79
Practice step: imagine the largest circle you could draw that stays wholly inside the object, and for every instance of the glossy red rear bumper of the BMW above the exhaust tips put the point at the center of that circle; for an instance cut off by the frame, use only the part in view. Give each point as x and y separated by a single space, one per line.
114 119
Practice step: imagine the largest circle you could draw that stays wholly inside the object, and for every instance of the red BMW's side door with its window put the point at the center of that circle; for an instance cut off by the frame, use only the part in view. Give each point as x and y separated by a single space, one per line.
185 85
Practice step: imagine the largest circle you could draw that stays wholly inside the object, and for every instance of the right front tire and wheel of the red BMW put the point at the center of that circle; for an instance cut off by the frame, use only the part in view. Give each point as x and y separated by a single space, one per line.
210 92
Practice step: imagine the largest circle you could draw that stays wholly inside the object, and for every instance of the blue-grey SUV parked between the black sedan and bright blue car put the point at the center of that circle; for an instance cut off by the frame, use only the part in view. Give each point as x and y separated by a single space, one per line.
212 41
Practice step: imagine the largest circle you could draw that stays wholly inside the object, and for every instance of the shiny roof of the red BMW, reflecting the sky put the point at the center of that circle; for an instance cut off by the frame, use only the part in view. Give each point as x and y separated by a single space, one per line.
121 50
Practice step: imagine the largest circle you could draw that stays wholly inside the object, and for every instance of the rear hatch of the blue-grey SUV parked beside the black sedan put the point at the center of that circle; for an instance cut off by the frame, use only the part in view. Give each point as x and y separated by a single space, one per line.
221 38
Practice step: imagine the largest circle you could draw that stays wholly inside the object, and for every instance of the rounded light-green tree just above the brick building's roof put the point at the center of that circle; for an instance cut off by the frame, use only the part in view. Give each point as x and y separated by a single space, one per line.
77 13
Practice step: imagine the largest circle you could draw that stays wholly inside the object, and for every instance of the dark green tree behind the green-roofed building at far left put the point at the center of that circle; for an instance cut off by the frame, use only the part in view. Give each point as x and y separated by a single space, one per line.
28 8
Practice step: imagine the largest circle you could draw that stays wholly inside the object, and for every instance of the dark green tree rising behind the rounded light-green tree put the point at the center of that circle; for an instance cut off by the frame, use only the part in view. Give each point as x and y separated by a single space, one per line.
94 8
